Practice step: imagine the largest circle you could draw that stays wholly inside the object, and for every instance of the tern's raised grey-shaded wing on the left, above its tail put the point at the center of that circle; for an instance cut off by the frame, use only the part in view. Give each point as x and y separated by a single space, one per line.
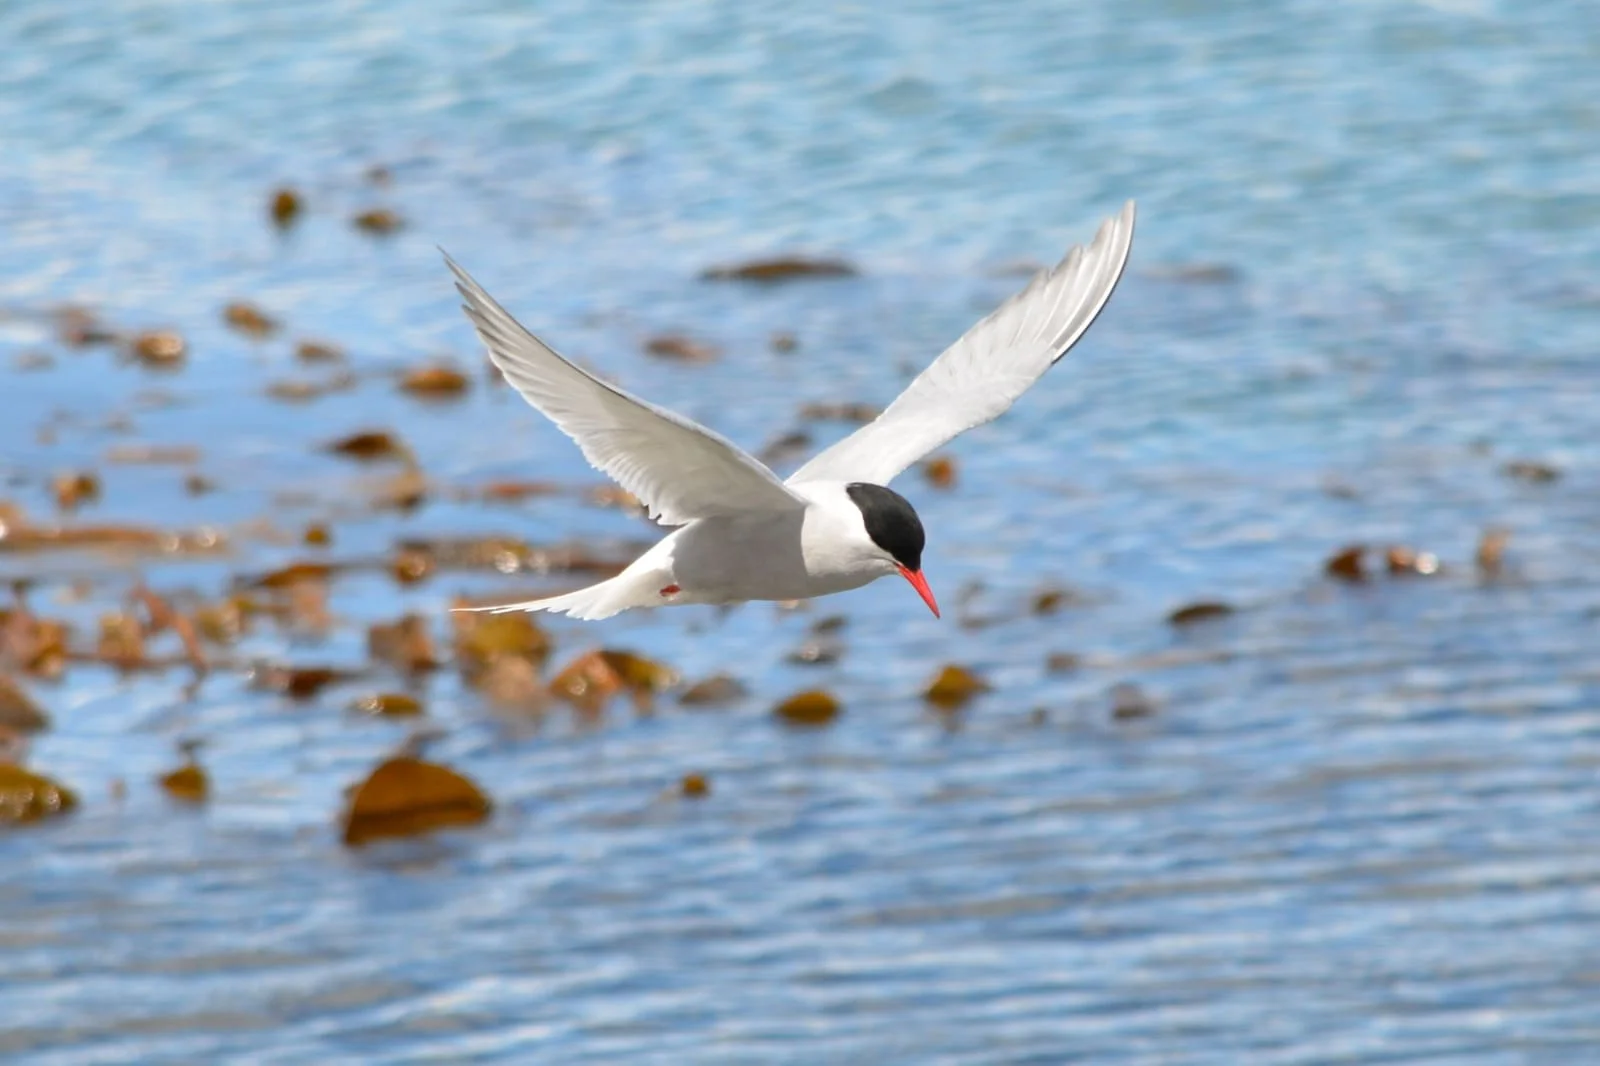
681 471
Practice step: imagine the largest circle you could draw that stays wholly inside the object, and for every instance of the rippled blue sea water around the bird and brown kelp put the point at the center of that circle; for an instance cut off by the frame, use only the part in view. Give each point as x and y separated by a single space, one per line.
1356 825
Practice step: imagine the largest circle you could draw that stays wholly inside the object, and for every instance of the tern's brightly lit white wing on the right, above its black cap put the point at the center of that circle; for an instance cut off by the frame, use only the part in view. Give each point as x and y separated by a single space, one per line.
994 363
